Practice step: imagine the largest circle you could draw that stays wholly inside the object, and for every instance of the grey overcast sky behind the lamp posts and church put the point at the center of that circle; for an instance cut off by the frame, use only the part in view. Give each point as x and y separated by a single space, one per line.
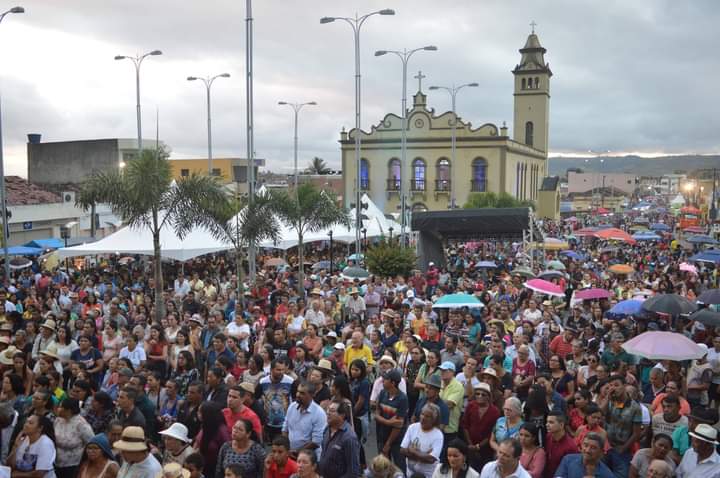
635 76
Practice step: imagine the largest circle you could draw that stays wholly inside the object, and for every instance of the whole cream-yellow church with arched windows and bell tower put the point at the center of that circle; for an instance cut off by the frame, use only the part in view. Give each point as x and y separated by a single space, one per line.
487 157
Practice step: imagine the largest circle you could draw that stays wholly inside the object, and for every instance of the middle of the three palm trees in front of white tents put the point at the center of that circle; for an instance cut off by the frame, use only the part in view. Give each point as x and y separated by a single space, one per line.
242 224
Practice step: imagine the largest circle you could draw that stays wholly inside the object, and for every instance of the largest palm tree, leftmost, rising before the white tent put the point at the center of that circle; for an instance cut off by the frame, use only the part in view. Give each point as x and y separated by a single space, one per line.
144 195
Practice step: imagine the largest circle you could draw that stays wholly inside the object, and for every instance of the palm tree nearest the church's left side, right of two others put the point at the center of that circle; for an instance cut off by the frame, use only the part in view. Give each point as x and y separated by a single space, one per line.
307 210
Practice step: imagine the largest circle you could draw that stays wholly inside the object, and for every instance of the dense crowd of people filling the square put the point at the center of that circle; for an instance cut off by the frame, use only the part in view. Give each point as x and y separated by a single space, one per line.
339 378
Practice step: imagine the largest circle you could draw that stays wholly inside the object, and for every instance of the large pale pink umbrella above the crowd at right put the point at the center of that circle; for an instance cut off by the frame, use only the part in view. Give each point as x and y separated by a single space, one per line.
656 345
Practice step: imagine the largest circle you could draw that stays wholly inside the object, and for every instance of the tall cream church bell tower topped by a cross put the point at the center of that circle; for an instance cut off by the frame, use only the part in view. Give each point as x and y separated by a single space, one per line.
532 95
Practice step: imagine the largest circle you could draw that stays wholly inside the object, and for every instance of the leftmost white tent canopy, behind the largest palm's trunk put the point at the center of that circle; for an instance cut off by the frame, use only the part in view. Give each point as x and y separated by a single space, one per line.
139 241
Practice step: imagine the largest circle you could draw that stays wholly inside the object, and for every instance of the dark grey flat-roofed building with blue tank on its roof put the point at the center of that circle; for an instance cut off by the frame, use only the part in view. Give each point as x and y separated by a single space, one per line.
69 162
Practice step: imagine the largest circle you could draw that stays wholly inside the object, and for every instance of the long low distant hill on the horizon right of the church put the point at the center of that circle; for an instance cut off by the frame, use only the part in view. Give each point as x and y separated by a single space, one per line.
635 164
